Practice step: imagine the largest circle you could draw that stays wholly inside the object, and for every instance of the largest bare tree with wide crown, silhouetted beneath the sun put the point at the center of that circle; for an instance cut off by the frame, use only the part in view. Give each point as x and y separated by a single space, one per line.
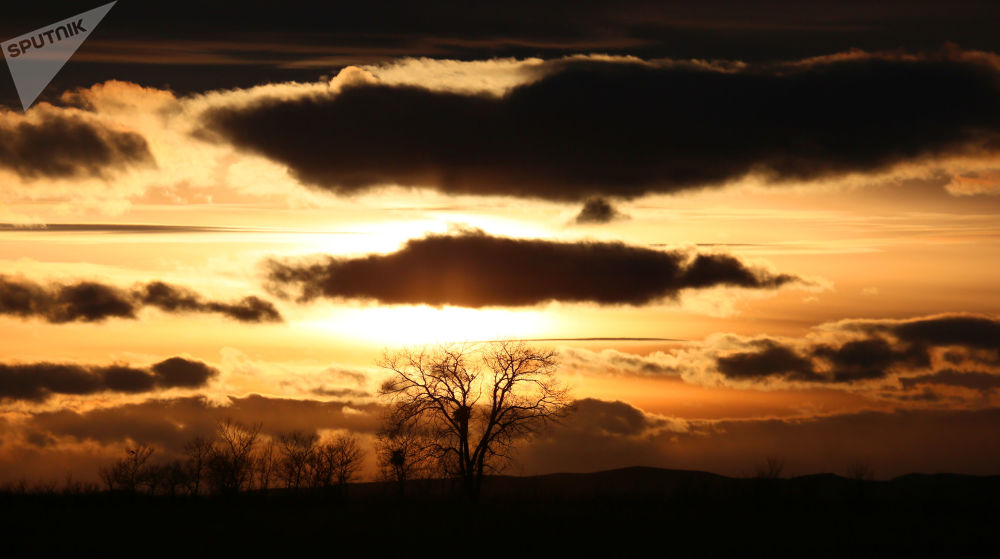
472 403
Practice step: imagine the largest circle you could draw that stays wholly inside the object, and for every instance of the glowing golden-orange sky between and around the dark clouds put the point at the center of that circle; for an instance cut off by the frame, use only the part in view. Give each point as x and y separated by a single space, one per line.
906 242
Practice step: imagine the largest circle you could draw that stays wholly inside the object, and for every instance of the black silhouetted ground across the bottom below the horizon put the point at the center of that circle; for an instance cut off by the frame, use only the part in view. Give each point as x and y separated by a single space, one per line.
622 513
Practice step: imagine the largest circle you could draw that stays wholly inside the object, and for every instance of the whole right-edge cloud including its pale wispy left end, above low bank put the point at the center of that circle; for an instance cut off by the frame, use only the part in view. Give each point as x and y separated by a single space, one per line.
880 358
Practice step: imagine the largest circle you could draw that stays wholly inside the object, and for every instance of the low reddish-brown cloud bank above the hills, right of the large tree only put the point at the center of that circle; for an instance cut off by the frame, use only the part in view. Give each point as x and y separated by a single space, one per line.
603 435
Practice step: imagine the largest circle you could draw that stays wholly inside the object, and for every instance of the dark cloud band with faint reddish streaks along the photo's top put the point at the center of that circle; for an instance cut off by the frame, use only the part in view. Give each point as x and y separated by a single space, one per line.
151 42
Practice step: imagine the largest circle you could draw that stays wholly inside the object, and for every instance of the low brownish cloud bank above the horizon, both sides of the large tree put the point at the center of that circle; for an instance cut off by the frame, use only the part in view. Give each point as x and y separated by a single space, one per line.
597 435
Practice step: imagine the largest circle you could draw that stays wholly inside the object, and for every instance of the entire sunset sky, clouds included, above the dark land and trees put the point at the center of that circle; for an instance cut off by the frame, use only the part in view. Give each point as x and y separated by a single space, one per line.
750 229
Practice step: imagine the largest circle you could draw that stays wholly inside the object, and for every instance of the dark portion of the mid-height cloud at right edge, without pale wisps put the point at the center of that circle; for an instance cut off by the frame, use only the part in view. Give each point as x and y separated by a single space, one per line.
877 349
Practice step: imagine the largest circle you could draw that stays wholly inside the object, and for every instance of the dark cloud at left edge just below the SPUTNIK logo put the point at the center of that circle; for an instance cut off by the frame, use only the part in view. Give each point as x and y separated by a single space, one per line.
64 145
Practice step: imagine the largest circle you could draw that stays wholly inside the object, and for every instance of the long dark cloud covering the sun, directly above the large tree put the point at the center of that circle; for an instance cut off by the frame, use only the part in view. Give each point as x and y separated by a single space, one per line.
473 269
